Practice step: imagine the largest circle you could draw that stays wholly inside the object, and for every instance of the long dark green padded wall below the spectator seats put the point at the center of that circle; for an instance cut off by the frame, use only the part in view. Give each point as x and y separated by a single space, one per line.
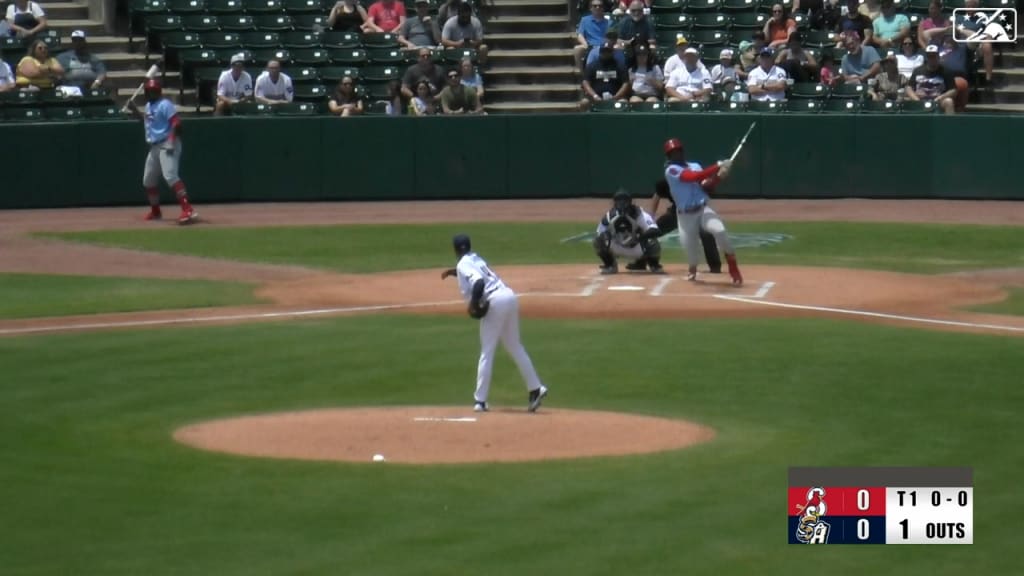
553 156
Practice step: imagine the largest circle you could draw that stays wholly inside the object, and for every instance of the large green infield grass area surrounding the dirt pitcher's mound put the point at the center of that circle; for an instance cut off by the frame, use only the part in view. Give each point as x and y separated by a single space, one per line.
94 484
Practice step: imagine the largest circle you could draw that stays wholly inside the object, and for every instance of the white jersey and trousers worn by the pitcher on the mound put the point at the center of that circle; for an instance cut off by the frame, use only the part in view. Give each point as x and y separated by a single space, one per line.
502 322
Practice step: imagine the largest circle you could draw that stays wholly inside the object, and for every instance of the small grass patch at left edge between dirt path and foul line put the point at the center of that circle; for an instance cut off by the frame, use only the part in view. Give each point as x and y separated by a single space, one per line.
29 296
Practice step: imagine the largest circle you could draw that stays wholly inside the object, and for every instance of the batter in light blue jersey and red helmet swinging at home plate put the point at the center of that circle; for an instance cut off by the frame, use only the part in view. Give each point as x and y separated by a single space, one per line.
689 183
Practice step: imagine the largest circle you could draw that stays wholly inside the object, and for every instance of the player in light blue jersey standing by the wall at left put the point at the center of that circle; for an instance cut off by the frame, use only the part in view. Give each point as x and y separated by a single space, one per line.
163 134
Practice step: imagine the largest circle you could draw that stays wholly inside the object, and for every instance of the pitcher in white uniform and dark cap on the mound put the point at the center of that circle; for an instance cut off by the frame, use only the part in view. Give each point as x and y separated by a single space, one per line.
497 307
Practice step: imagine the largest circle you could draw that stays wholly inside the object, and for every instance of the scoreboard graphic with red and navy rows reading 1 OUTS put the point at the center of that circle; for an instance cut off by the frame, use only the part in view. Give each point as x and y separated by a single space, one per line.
881 506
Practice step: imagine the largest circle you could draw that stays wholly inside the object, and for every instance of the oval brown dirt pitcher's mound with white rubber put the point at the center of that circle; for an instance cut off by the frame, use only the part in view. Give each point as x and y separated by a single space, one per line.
442 435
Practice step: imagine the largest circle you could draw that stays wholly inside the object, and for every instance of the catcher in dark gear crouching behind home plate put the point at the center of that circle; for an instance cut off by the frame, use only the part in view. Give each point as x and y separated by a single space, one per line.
629 232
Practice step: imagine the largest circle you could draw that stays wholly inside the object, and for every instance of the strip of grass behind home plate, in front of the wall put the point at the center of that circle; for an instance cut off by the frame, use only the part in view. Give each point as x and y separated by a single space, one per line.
916 249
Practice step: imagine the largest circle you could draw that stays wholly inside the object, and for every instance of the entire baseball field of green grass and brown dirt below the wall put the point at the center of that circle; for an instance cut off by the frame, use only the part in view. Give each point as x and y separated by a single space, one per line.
208 399
